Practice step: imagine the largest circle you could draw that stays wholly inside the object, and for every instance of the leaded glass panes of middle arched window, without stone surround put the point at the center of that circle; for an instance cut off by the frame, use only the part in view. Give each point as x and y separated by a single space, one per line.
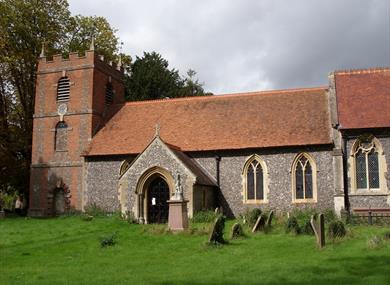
303 178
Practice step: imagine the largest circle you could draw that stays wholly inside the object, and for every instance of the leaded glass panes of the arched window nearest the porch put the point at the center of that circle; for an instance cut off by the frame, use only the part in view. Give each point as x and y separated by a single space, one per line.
254 181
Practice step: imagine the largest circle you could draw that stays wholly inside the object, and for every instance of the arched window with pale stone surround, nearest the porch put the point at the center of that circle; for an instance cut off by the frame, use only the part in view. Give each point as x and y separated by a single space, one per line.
255 178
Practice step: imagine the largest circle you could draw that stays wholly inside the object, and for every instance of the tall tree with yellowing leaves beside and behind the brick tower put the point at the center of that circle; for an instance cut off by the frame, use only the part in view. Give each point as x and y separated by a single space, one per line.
24 26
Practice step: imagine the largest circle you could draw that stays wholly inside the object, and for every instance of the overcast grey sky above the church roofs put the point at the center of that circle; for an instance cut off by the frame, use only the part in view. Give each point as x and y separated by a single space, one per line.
250 45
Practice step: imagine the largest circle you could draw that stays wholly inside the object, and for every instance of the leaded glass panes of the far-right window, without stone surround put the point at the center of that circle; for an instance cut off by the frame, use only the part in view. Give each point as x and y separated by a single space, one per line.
366 164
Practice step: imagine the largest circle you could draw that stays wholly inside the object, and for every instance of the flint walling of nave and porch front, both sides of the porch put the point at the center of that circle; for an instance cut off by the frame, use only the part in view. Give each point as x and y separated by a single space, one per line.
103 177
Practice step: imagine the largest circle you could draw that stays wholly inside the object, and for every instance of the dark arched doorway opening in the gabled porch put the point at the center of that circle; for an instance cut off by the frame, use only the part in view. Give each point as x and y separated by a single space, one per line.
158 195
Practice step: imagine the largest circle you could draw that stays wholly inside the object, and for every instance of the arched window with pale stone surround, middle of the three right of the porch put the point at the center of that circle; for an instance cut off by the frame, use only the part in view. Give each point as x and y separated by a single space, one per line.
304 176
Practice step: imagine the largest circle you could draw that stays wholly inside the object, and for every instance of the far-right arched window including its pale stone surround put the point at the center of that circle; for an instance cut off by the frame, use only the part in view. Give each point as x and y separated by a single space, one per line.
368 164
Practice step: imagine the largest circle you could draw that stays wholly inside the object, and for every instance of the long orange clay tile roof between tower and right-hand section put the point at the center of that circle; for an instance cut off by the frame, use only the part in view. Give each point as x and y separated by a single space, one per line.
247 120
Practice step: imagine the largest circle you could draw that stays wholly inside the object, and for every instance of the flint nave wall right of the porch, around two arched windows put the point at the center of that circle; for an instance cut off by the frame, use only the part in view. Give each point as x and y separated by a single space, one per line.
279 163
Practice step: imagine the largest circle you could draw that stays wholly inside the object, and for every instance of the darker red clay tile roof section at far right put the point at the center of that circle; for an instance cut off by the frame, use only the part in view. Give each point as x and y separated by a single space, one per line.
363 98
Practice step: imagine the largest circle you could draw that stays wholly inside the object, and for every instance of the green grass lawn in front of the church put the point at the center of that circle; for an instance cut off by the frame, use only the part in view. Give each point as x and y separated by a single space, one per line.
67 251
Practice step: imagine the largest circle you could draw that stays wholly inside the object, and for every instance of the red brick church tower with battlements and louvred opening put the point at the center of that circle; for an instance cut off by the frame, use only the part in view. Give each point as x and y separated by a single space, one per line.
74 98
